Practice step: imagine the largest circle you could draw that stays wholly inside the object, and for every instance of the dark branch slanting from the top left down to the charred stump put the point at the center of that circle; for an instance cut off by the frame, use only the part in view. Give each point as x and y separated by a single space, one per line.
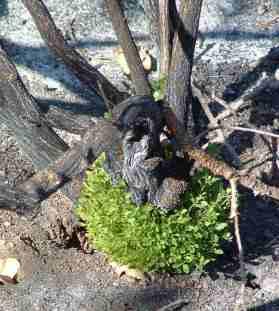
54 39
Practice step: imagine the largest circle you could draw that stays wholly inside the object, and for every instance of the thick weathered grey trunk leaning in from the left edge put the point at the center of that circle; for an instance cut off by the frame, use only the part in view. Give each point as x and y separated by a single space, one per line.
21 114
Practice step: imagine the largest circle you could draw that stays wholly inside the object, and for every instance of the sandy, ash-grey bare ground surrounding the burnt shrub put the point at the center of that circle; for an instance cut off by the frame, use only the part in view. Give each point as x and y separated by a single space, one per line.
235 37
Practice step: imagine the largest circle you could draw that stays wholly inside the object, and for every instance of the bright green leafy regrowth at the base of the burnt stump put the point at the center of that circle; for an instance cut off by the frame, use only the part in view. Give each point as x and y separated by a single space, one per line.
147 239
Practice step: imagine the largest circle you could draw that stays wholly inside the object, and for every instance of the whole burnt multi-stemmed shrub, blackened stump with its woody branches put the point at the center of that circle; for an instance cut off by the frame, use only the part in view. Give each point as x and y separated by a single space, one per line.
134 132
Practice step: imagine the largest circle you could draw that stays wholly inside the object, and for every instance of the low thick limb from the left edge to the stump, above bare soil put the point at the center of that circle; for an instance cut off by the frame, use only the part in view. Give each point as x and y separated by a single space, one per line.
68 170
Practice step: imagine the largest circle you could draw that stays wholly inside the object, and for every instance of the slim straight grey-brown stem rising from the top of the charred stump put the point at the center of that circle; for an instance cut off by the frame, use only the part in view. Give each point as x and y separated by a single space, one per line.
128 45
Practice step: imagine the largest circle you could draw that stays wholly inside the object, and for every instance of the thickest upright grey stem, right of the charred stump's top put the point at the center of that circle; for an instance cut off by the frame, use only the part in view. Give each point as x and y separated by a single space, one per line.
179 80
